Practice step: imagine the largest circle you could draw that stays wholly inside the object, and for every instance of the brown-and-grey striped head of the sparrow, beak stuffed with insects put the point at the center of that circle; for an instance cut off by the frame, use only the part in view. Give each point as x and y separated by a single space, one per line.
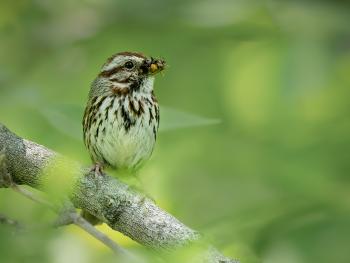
127 71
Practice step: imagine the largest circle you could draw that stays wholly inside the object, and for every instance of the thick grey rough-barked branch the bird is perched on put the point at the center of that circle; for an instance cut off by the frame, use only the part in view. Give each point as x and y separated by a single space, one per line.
104 197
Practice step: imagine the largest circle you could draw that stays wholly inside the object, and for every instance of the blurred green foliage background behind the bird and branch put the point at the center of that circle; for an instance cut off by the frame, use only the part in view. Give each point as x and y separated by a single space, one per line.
255 119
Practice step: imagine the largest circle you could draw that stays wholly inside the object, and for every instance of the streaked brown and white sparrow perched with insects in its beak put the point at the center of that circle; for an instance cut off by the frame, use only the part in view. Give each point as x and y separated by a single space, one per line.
121 118
